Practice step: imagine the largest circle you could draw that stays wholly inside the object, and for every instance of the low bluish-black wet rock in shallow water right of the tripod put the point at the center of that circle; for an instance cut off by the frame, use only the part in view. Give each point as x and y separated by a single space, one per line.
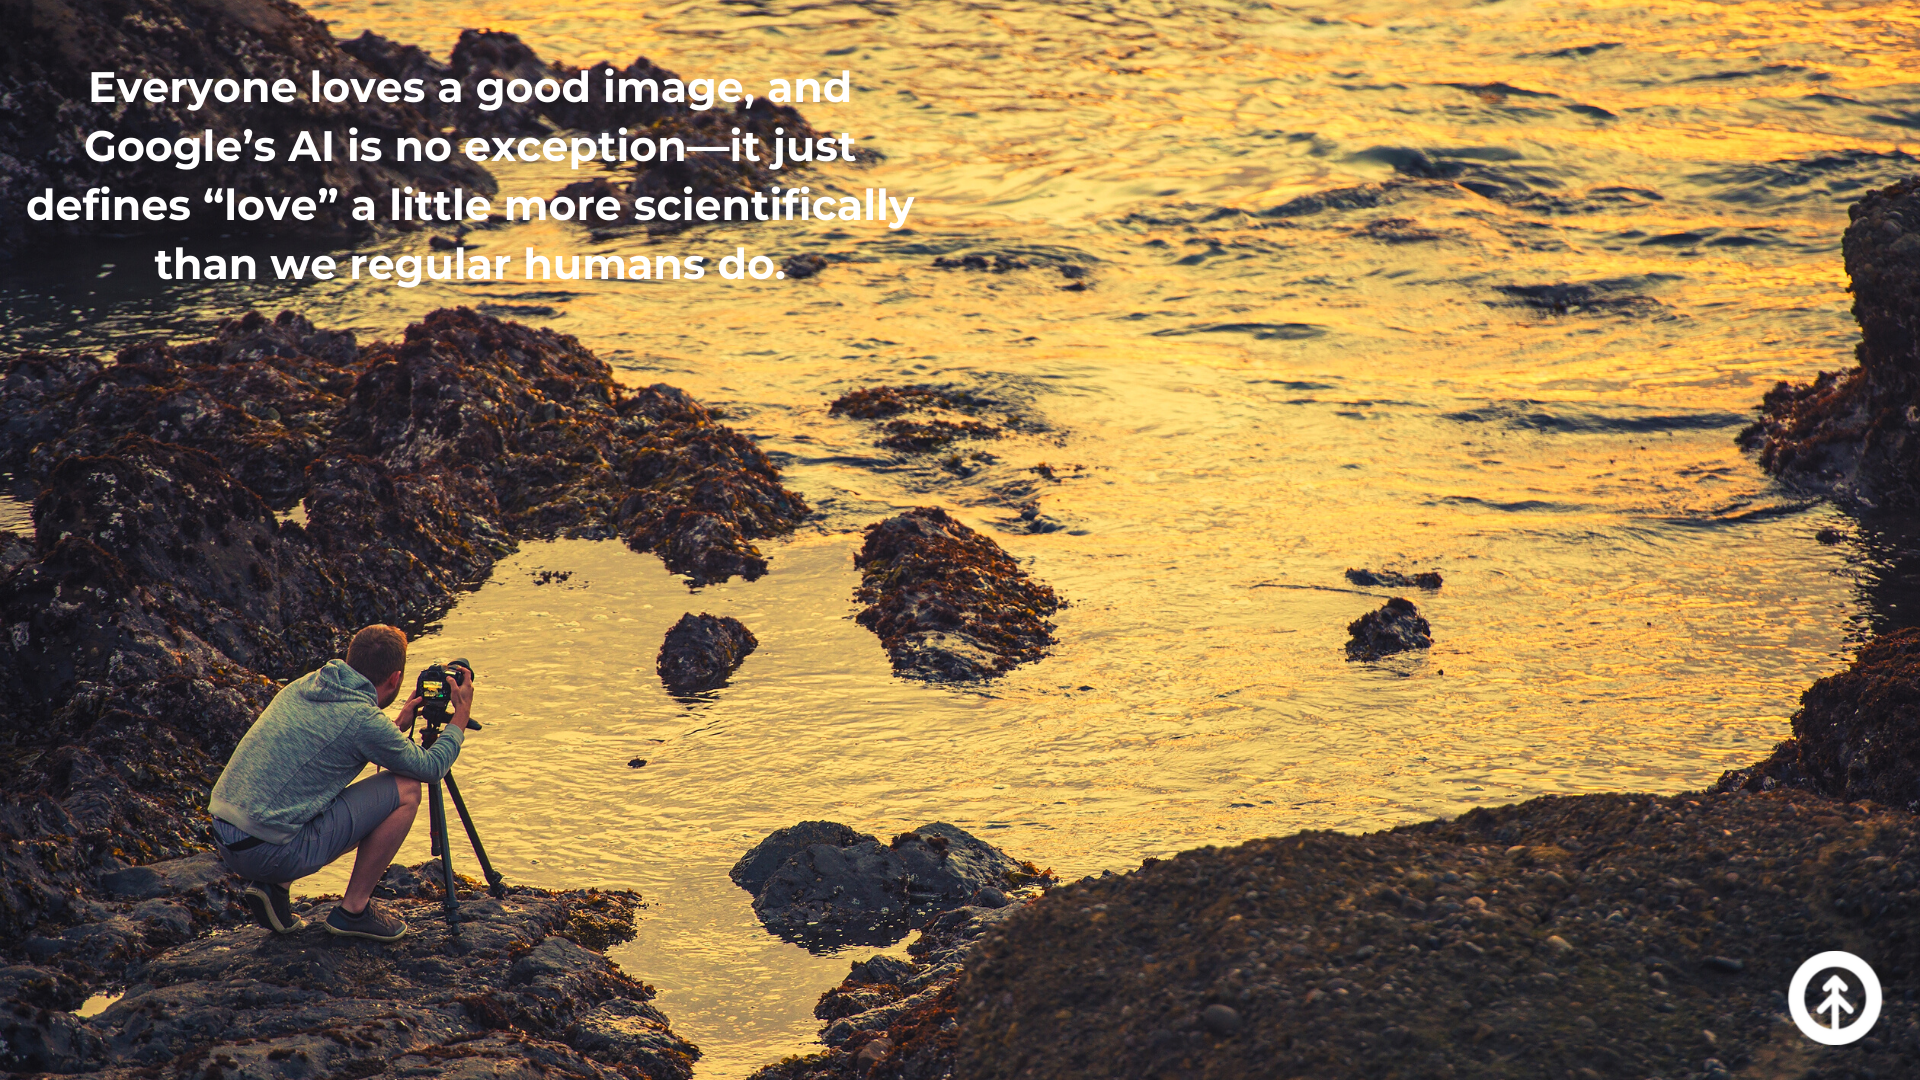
823 885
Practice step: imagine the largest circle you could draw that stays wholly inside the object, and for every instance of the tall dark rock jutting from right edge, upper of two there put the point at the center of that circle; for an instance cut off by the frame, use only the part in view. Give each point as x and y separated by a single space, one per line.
1856 435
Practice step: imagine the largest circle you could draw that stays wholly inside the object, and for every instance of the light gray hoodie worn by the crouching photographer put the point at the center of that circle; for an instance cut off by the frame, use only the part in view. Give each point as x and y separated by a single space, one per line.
310 745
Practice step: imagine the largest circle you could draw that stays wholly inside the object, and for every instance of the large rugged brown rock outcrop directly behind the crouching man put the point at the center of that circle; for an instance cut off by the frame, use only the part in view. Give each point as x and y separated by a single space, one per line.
164 595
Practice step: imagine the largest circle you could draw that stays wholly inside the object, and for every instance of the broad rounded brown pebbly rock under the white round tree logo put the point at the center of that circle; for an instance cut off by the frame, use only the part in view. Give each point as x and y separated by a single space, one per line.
1566 937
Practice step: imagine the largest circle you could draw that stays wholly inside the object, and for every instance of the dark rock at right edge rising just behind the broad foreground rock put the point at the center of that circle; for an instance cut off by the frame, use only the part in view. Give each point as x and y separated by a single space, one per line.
1856 735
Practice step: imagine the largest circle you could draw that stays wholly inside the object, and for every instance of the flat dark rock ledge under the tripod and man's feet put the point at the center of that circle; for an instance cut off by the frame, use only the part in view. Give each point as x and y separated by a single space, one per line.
516 994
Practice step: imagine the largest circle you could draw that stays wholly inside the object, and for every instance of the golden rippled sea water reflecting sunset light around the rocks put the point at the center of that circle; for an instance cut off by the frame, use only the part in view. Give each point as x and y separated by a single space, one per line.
1481 289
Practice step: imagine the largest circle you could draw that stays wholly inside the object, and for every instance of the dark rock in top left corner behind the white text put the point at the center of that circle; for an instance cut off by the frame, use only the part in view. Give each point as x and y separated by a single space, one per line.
53 47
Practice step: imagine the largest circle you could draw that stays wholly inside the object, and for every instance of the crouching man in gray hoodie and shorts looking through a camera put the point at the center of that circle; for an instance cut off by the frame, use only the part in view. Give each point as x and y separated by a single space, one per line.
287 802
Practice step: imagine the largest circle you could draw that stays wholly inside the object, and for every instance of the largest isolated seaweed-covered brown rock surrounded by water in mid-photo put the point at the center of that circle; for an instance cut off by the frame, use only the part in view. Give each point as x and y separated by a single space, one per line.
948 602
